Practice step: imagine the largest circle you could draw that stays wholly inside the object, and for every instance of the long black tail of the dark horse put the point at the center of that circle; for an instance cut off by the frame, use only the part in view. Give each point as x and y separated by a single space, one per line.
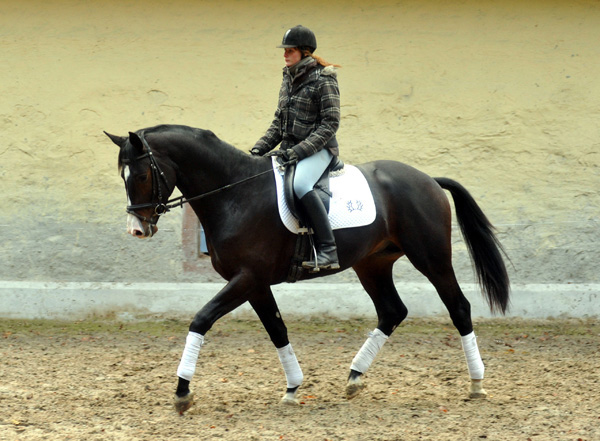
483 246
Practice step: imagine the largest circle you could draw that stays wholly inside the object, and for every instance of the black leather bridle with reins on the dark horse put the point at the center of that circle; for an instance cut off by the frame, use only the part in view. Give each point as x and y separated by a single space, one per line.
158 176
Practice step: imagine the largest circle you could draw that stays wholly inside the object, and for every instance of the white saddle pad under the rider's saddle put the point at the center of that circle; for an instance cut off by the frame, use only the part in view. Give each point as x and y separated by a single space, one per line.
351 205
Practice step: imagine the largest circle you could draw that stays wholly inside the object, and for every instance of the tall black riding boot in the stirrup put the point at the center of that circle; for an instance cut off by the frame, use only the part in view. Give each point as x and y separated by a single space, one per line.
324 240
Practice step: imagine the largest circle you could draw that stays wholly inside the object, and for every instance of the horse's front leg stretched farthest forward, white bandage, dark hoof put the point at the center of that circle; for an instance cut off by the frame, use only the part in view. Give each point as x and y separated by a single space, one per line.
234 294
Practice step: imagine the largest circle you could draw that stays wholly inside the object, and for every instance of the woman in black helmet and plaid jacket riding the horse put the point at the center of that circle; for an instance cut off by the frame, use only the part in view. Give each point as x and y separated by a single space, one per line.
306 121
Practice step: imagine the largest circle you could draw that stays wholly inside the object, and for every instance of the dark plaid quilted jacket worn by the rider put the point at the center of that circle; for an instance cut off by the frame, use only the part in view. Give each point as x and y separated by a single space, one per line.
308 113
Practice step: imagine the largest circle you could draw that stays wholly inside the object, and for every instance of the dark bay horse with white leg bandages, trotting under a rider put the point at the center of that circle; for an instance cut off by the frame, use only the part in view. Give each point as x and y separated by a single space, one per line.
234 196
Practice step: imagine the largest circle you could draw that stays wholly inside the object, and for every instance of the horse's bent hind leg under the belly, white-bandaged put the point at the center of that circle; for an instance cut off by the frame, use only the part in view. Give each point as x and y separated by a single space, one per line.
375 275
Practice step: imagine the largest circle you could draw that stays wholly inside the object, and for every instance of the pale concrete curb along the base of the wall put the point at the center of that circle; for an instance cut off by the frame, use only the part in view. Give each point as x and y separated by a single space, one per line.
76 301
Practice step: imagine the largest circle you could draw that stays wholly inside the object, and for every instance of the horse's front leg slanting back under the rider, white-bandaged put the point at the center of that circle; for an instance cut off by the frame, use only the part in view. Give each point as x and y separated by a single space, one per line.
265 306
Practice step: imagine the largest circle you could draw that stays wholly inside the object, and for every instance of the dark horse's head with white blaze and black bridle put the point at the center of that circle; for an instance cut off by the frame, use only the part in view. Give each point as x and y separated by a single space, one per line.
148 183
